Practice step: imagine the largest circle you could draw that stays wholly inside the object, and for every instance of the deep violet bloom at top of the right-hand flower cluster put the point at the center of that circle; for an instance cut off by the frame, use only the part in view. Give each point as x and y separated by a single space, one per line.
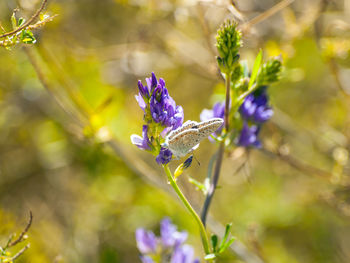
255 107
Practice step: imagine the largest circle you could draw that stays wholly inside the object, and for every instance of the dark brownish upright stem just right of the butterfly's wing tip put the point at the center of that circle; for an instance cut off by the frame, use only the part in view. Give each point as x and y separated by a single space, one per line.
220 154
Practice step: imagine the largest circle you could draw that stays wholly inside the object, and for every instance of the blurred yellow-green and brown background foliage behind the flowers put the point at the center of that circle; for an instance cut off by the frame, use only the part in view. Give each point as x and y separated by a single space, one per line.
67 110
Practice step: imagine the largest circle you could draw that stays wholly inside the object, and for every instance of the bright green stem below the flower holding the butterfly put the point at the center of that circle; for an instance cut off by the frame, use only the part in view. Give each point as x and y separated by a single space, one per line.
204 236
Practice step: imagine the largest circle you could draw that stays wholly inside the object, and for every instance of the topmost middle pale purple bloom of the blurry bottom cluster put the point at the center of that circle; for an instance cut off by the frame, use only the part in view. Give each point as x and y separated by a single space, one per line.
169 234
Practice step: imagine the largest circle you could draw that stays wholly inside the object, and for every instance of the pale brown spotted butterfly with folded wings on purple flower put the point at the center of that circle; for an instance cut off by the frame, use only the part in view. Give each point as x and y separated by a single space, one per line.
186 138
